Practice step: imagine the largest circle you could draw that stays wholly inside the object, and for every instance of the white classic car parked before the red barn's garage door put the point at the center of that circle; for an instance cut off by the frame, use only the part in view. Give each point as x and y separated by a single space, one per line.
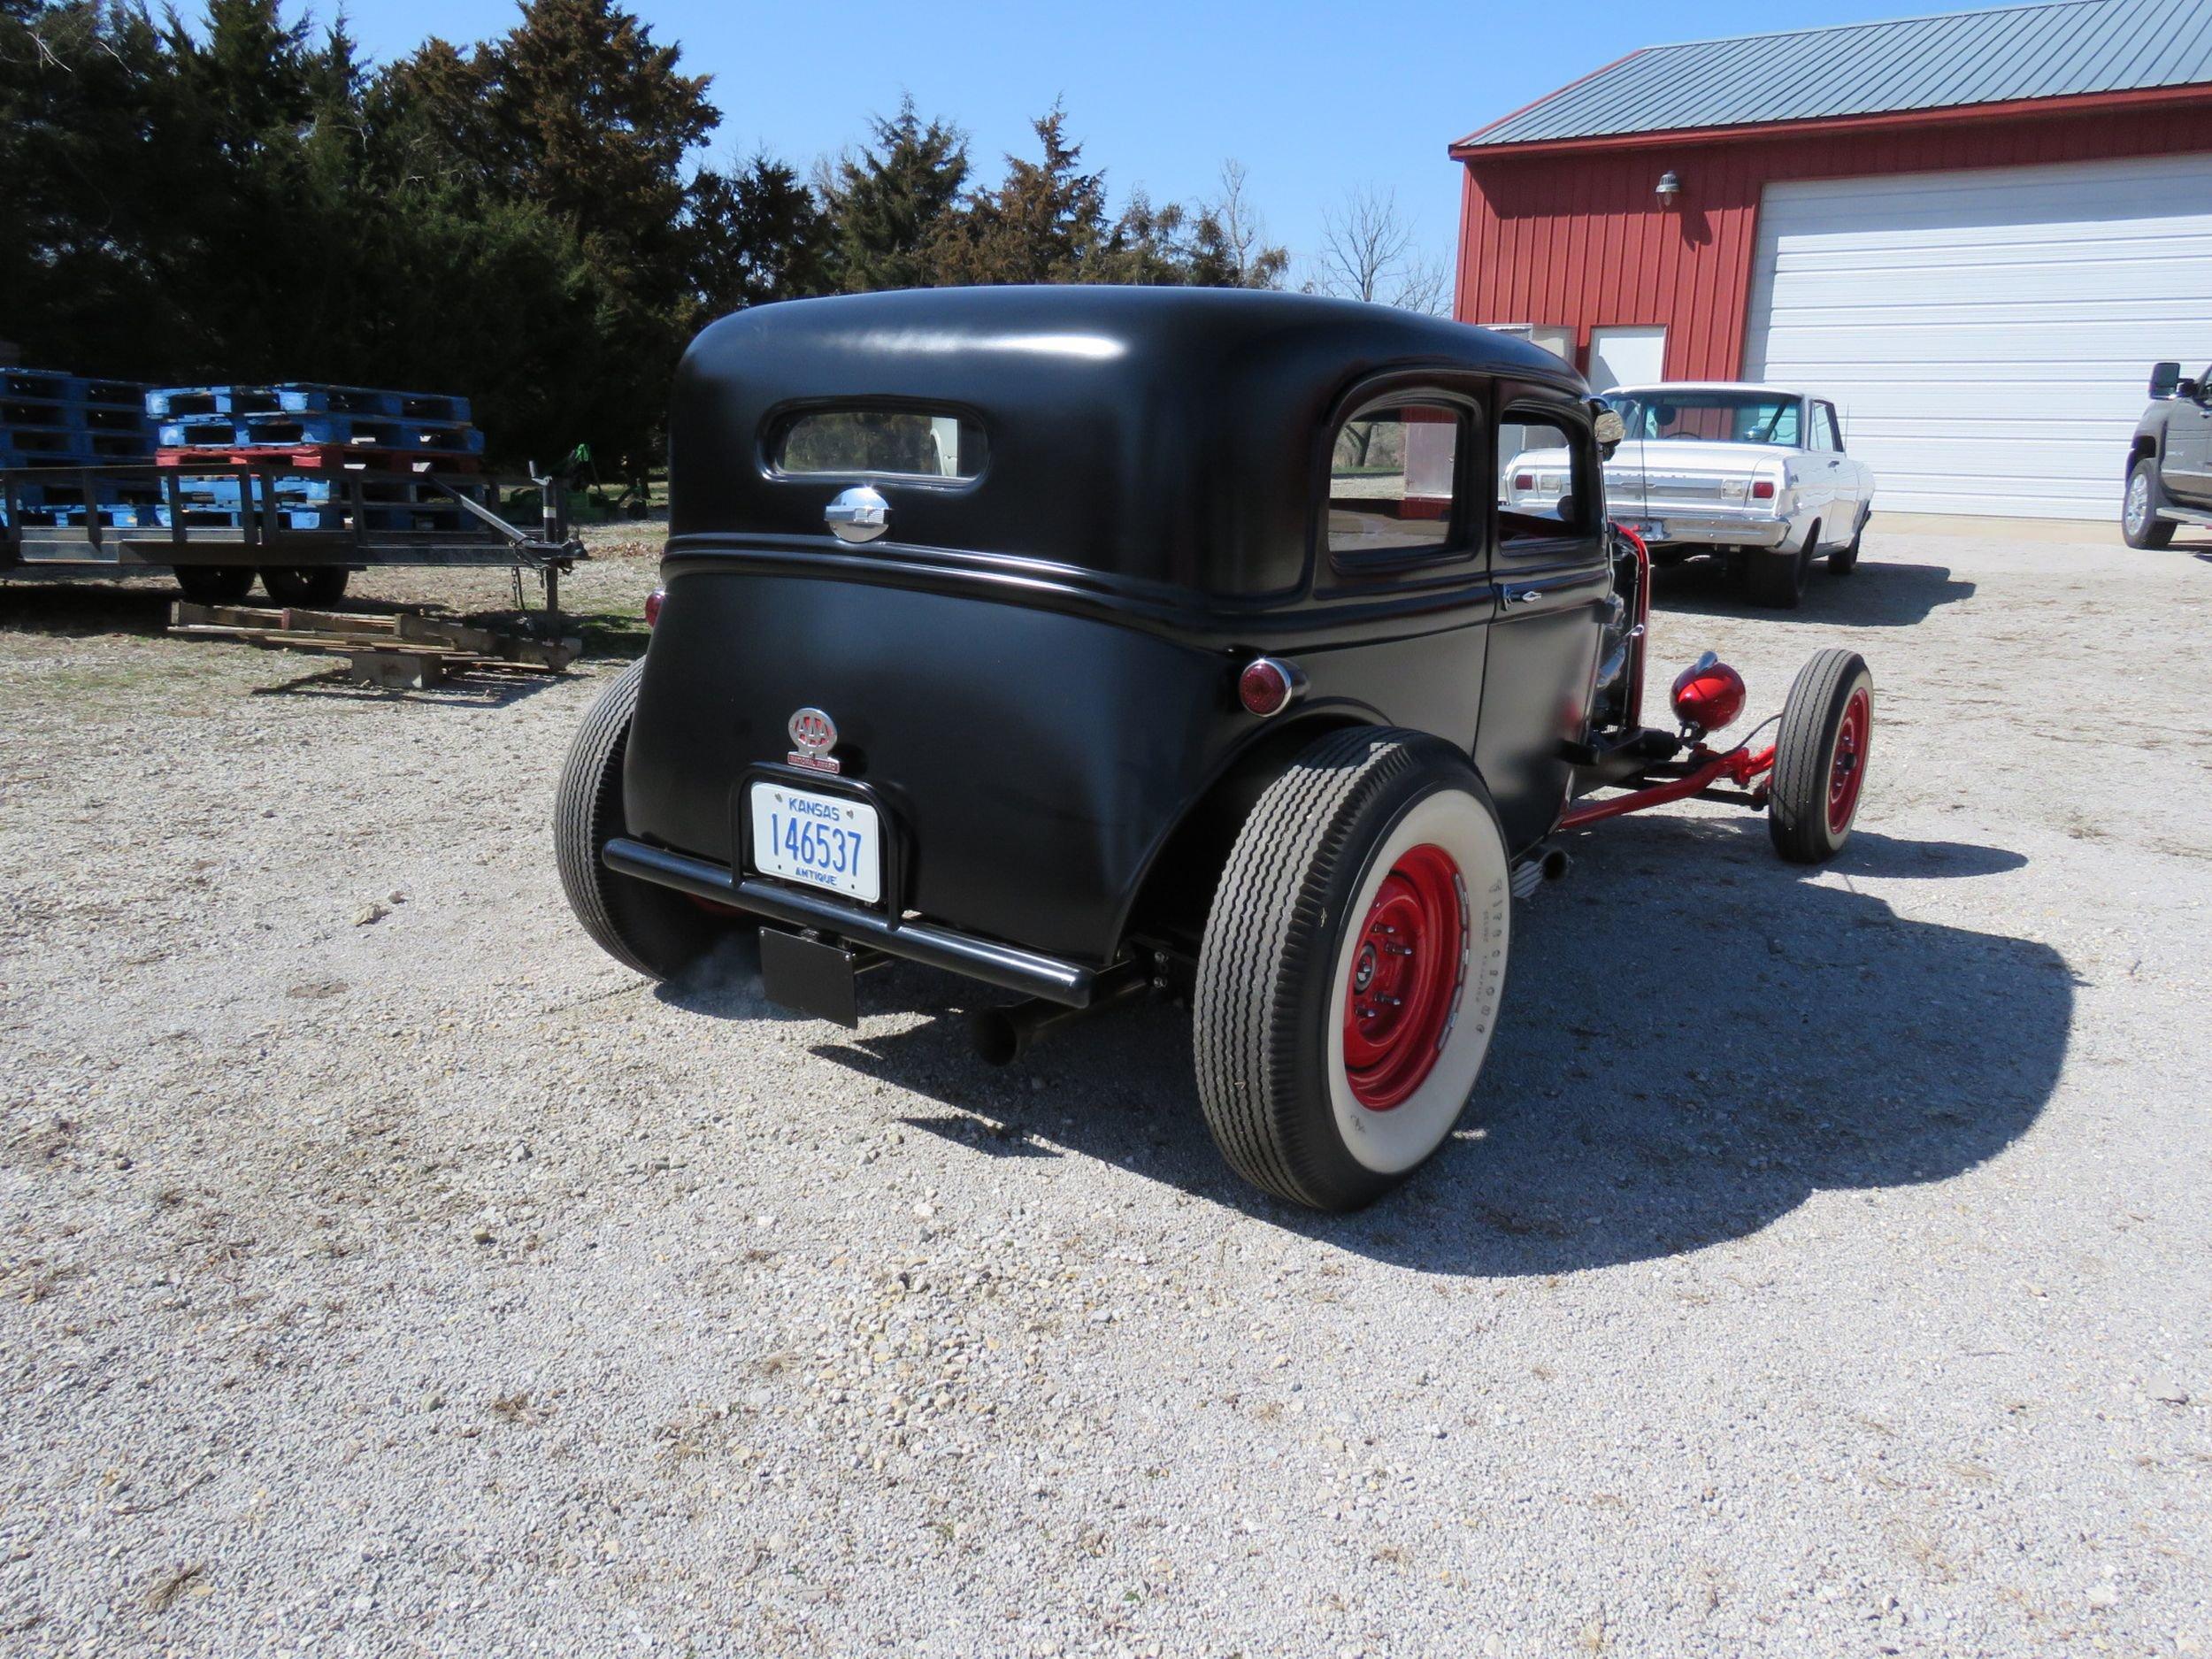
1749 472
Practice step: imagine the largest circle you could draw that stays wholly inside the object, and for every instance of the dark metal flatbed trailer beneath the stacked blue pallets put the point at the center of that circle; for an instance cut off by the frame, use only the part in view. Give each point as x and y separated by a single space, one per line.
253 519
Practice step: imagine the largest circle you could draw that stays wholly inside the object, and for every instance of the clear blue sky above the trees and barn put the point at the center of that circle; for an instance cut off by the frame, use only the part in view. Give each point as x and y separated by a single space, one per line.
1313 98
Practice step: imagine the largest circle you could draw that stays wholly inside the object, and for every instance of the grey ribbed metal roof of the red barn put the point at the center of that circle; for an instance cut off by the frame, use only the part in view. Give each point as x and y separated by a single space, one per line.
1879 67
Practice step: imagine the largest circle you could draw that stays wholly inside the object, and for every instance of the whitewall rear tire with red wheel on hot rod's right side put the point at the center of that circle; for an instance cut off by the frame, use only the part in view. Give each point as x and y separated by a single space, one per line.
1353 966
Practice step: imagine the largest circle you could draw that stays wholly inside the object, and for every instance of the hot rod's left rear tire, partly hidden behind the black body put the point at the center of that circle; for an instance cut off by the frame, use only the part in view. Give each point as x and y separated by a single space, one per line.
647 928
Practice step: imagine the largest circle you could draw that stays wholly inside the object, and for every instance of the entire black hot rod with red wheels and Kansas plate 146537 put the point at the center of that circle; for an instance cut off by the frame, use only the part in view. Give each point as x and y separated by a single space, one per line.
1098 643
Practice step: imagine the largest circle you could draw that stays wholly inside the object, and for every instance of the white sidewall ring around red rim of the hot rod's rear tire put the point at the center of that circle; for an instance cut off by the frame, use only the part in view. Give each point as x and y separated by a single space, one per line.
1401 1138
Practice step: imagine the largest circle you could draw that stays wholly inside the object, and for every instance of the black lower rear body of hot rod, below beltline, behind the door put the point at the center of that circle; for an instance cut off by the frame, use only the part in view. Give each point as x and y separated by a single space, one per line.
1032 760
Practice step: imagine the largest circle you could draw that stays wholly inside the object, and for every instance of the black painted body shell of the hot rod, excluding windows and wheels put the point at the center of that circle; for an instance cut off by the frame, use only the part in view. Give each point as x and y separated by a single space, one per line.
1034 669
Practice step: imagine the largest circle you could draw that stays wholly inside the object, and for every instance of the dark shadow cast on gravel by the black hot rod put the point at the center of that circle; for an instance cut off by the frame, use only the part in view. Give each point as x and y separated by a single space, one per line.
1695 1041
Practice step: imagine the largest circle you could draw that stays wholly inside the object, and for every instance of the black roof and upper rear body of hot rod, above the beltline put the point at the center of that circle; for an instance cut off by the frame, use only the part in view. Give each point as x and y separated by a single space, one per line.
1165 435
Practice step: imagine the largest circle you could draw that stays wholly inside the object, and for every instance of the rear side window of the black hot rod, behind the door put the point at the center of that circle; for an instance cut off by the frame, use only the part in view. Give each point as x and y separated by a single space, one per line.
1395 481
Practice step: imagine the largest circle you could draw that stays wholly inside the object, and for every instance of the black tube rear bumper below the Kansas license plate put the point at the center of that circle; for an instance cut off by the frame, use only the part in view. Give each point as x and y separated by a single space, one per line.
1003 966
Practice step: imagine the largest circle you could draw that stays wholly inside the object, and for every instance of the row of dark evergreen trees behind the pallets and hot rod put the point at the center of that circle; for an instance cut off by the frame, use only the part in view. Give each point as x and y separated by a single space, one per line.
512 220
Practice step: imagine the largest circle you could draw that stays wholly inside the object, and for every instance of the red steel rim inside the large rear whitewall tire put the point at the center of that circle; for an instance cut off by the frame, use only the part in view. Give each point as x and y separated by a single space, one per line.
1406 979
